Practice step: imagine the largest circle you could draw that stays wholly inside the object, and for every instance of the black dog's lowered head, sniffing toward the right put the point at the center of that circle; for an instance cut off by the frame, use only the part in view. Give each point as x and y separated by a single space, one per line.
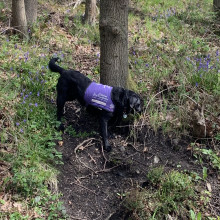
135 102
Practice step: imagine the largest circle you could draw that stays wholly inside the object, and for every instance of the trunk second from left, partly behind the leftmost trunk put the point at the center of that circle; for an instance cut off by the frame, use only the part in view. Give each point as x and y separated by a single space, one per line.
31 11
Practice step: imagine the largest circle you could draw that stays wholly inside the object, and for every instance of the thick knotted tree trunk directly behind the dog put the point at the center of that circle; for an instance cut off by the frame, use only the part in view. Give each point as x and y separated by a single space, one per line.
113 27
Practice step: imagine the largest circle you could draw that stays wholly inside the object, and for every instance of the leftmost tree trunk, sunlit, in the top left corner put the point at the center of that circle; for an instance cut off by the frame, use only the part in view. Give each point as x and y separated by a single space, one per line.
19 21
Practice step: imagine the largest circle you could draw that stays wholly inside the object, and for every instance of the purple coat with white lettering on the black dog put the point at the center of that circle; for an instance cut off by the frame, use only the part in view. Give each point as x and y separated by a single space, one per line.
99 95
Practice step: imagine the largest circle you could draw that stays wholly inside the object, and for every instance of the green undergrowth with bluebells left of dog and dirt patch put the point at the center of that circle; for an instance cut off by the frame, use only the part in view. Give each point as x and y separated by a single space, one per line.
27 114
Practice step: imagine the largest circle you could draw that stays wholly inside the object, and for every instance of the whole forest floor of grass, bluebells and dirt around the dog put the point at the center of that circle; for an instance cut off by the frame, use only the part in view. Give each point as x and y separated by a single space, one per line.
174 63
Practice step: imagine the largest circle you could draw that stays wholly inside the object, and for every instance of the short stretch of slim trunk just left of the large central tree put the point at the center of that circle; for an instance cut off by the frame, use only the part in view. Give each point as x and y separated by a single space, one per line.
90 12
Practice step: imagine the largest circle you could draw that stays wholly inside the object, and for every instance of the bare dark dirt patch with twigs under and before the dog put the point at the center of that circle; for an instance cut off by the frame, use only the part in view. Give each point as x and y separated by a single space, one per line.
94 182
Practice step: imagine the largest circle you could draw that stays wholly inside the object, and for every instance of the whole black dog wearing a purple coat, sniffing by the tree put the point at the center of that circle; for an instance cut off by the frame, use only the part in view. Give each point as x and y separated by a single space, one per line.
110 102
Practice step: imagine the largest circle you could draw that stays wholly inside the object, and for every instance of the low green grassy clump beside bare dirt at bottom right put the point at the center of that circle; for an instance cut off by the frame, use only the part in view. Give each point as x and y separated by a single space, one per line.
174 194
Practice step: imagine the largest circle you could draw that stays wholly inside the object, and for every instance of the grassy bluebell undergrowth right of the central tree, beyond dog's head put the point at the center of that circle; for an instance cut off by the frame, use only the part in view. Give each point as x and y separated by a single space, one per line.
174 57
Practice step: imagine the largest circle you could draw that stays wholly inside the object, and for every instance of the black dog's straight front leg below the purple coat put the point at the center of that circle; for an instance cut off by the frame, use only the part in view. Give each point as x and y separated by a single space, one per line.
104 118
